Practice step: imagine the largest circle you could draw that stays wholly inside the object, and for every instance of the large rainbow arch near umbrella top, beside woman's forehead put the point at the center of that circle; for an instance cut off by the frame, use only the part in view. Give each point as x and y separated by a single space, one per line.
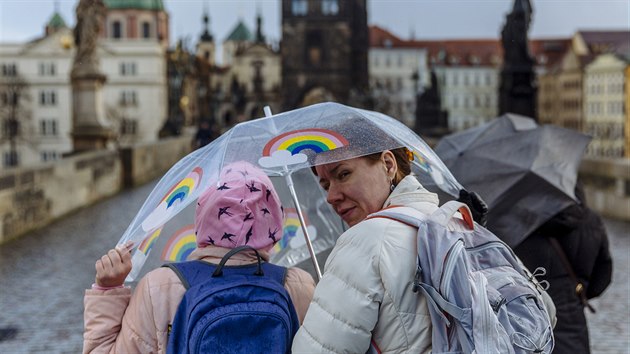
295 141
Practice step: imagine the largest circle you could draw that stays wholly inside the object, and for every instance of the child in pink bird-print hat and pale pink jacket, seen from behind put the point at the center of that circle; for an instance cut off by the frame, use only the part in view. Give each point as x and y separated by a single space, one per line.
243 209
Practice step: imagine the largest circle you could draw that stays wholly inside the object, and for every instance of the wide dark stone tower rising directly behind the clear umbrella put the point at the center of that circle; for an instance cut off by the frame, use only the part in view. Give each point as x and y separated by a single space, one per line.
324 52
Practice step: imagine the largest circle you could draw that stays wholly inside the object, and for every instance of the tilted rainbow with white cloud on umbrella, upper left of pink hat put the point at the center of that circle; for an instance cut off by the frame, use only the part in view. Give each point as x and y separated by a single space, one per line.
176 195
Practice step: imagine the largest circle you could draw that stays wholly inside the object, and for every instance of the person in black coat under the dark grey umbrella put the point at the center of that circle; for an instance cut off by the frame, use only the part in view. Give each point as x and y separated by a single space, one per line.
582 238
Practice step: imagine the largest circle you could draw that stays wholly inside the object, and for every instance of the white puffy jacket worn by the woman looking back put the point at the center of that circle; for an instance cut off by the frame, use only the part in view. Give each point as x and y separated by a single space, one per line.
365 293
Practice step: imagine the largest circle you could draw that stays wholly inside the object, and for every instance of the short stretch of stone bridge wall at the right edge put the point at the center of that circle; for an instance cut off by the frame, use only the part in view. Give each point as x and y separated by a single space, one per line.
607 186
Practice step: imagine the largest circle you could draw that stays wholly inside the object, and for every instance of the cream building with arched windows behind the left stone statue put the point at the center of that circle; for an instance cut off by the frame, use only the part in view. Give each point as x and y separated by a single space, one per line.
131 48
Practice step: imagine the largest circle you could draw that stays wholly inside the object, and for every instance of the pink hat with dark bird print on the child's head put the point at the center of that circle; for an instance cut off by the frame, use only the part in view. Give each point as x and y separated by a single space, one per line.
242 209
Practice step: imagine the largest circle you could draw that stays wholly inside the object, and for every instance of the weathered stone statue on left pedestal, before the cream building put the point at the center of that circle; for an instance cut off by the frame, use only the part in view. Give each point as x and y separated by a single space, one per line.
90 17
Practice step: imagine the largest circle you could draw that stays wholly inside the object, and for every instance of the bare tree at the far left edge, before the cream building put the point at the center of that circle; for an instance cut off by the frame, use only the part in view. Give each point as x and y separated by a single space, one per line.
15 115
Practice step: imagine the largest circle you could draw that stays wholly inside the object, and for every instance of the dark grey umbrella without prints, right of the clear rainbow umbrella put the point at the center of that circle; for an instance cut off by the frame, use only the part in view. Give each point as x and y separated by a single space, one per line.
525 172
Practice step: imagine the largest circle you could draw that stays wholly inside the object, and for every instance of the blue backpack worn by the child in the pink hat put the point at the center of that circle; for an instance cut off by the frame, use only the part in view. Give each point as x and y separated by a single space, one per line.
232 309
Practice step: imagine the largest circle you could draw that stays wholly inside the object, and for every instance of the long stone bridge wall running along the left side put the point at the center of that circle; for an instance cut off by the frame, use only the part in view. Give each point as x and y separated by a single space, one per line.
32 197
